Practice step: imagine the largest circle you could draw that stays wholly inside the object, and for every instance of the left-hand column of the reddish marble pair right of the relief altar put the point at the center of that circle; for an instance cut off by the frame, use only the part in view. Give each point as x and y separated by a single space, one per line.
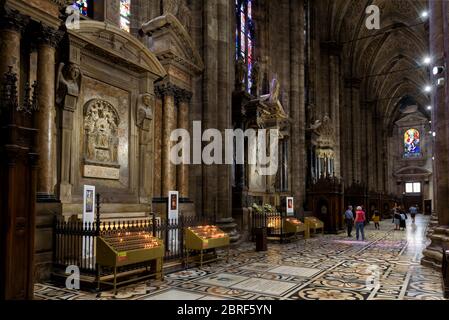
169 115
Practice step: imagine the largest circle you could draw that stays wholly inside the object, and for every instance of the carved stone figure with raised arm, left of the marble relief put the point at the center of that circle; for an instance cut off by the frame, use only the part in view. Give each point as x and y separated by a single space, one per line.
68 84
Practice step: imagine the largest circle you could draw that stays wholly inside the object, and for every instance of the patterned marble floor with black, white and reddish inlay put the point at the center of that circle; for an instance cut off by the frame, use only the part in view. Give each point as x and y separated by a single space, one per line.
386 266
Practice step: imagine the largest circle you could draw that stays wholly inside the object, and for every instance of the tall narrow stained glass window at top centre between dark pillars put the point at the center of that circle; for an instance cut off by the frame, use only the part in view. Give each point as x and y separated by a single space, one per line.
245 36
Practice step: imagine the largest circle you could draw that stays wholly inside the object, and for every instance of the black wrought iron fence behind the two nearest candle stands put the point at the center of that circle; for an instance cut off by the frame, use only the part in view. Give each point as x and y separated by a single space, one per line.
70 239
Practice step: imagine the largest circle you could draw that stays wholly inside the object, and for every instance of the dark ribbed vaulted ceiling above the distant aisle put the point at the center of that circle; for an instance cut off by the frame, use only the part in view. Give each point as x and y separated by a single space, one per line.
389 61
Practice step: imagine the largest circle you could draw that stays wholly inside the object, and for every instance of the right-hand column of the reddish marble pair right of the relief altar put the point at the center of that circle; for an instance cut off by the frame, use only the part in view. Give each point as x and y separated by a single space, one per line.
183 123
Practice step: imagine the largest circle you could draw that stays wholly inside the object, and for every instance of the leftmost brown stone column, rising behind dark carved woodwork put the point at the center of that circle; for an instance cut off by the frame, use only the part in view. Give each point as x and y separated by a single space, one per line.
11 25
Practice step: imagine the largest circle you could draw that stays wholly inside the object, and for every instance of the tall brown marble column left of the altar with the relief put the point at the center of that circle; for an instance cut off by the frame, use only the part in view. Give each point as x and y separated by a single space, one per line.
47 41
